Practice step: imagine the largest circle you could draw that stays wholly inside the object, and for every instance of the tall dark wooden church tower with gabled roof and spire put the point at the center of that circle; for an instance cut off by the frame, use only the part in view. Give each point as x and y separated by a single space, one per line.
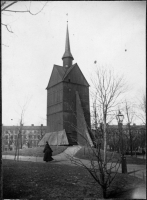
68 106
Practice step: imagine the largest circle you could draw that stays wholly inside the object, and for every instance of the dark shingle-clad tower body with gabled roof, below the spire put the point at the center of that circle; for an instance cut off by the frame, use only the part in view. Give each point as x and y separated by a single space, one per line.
61 99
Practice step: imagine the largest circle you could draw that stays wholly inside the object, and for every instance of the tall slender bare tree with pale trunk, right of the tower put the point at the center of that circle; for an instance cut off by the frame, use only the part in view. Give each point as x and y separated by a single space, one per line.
108 88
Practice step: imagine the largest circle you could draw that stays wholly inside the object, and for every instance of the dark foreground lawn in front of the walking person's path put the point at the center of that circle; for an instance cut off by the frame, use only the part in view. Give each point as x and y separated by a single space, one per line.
31 180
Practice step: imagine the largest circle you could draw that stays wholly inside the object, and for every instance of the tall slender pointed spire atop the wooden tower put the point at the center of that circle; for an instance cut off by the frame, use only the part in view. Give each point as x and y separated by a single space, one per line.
67 57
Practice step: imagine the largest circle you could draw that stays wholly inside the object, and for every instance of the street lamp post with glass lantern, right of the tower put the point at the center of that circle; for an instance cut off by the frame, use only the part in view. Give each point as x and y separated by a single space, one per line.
120 118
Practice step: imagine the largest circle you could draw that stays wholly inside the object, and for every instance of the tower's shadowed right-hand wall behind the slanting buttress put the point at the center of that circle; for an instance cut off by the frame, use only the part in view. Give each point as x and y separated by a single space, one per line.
69 104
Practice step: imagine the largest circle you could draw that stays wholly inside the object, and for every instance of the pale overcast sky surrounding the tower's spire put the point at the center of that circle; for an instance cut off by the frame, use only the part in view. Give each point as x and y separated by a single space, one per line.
110 32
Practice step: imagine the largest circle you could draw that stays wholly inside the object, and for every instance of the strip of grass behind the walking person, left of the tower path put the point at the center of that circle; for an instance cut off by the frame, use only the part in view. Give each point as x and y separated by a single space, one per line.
36 151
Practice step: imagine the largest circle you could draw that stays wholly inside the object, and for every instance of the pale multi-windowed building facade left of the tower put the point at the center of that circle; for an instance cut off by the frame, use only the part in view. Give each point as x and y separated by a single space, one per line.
26 136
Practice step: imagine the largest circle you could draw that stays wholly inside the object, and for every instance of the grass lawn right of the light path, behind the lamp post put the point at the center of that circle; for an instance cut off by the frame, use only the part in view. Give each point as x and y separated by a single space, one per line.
87 153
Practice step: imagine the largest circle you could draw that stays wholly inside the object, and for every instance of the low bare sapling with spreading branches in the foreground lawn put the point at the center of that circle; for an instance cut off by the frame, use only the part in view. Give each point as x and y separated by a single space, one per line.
102 174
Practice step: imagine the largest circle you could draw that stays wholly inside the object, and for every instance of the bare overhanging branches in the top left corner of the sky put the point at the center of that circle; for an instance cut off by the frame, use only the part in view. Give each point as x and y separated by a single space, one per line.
8 7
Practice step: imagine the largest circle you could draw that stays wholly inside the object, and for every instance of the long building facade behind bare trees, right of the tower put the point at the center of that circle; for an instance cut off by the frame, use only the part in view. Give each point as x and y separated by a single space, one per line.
134 137
